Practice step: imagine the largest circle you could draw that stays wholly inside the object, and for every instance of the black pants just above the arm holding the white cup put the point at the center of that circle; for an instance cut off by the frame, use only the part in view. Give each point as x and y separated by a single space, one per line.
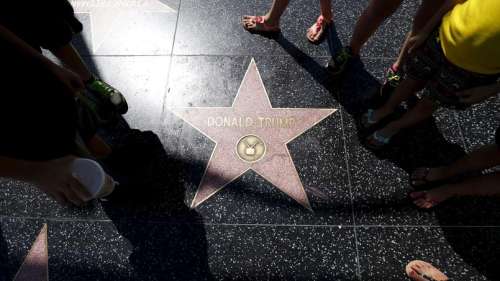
38 118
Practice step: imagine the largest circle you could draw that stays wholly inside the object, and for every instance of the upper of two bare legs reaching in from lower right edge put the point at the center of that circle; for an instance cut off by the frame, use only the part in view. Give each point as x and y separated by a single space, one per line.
482 158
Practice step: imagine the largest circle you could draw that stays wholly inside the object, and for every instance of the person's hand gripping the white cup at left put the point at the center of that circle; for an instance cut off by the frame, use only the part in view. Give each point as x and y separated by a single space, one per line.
55 178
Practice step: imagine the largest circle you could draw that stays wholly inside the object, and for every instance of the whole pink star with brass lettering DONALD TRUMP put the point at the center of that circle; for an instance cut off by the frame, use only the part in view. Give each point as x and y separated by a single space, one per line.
251 135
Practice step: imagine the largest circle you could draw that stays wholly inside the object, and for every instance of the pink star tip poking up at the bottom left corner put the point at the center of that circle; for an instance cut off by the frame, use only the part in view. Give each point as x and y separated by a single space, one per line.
35 265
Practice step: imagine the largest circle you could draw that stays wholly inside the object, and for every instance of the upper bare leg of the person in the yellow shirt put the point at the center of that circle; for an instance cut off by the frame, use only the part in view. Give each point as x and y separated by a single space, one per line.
403 91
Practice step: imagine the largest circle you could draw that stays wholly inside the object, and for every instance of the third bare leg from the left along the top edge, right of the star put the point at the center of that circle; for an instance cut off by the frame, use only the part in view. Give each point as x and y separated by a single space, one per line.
370 20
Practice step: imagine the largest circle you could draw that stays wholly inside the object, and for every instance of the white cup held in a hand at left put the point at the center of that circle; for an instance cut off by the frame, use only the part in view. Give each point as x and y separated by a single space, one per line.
92 176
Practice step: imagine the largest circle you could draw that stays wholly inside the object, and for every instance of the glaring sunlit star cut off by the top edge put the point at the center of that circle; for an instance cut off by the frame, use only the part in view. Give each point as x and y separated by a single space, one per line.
105 15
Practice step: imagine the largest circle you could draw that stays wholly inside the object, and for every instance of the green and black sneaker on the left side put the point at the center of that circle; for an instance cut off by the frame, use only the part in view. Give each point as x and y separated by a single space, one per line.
107 94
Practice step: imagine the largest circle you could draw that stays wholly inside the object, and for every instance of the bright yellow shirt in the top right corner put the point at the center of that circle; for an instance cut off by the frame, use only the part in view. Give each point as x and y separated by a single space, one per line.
470 36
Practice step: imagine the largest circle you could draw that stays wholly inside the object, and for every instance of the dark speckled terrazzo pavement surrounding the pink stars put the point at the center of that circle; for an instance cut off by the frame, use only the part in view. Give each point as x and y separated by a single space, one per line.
363 226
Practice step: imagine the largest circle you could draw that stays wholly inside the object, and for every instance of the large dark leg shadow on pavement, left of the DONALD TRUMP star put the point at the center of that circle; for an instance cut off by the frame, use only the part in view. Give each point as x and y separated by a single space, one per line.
148 209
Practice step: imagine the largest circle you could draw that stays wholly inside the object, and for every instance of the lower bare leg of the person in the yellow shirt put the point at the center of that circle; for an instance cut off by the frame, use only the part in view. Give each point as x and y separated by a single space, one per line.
422 110
